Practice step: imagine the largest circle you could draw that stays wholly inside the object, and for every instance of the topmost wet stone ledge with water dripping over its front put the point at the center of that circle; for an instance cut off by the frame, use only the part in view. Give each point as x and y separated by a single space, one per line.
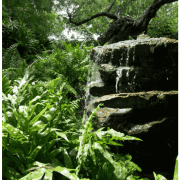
153 52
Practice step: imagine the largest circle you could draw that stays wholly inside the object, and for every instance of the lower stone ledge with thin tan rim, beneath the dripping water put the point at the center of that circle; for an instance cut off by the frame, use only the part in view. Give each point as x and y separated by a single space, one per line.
155 99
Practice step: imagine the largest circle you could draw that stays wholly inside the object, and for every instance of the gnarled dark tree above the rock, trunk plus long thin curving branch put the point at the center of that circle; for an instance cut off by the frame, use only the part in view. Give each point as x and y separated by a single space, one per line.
122 27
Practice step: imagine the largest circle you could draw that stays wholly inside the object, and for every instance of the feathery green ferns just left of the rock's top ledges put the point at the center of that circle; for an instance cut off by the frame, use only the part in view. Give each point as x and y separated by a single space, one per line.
70 62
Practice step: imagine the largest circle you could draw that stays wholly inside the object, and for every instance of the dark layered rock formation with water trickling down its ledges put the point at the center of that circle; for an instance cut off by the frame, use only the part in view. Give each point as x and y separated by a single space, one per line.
137 81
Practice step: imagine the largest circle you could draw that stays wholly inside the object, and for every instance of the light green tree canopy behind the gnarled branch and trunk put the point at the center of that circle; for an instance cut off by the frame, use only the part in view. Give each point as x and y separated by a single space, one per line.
99 14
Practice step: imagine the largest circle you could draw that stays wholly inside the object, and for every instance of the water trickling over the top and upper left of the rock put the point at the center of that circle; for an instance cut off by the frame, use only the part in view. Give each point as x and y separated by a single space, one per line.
125 79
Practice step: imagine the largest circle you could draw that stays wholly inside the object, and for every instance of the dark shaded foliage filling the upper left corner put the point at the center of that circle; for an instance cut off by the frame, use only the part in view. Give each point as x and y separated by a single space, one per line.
23 36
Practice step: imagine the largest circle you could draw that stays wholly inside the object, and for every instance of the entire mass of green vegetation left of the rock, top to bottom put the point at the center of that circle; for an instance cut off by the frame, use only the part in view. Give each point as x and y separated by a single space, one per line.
43 81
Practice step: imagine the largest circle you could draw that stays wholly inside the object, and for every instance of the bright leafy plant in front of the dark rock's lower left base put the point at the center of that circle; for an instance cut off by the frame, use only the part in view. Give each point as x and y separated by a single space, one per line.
93 155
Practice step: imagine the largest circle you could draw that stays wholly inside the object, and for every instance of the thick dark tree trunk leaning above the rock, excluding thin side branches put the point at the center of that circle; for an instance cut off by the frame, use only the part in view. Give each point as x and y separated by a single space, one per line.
120 29
